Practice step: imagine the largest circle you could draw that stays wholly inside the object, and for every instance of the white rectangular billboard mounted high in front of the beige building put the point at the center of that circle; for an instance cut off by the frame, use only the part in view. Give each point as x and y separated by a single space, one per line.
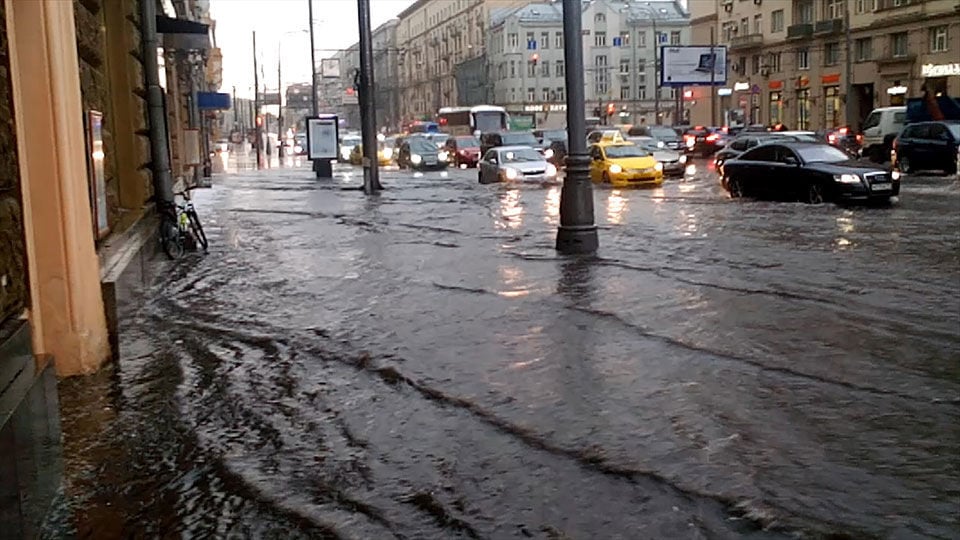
692 65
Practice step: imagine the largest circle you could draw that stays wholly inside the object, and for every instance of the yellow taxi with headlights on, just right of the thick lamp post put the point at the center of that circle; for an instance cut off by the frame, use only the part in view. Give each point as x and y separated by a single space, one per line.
624 164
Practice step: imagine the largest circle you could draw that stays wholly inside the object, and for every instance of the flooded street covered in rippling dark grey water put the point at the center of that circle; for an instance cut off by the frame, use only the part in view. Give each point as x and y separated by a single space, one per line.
423 364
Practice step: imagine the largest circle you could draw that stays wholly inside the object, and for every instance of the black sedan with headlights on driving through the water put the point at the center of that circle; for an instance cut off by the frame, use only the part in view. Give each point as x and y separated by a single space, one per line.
810 172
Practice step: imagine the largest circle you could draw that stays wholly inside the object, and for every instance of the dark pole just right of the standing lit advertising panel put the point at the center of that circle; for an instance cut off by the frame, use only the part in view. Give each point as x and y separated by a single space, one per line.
368 108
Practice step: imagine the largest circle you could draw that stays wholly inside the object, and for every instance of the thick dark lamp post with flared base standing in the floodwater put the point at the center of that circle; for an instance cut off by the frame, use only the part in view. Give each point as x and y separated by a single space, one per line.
577 232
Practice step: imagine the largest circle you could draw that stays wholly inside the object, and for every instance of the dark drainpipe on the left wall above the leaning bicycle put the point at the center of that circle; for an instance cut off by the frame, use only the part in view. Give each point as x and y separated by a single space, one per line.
159 142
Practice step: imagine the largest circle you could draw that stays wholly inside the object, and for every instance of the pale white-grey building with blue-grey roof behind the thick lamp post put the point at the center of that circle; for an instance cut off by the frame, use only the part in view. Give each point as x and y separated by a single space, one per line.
619 48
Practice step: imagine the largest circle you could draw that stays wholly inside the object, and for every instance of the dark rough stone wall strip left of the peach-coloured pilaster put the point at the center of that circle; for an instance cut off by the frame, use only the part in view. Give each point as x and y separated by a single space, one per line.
14 293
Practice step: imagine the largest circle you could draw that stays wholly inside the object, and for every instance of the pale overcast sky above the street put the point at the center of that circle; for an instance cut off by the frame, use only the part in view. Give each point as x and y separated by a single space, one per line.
285 23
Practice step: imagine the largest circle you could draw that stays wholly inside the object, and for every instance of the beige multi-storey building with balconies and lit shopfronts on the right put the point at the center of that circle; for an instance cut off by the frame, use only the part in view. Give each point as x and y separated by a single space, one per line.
787 58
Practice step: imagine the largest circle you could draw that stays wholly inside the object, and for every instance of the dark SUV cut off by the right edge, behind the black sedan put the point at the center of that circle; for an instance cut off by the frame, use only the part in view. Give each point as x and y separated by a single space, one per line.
926 146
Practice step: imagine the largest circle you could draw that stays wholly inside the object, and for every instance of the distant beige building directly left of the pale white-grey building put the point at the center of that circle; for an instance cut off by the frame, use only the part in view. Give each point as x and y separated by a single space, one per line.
433 37
